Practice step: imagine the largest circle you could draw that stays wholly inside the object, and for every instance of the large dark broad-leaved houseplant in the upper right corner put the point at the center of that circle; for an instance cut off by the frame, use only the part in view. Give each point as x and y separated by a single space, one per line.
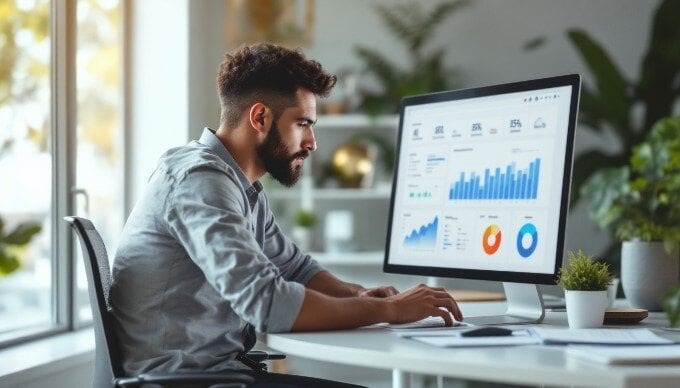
614 103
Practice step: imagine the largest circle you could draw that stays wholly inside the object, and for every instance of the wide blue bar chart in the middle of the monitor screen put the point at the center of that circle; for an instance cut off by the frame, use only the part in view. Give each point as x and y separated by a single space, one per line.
506 182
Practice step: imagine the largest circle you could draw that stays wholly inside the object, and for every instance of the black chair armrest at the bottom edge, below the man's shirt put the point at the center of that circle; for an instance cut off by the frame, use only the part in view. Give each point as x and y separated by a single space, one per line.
233 378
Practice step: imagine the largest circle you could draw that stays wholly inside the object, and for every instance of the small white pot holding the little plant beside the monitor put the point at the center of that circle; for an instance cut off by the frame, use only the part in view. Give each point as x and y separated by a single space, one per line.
585 308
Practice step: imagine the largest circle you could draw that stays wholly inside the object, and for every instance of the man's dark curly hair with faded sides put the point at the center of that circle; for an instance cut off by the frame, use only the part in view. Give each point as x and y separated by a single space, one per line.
269 74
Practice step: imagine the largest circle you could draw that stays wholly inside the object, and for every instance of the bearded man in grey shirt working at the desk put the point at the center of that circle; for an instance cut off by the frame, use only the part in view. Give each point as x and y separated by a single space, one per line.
202 264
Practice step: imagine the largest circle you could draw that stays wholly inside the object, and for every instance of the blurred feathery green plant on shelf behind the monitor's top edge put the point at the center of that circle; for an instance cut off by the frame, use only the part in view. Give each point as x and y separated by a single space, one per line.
414 27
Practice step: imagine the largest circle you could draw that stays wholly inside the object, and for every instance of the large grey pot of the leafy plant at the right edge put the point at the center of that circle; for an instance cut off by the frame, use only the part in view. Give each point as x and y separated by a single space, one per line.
647 271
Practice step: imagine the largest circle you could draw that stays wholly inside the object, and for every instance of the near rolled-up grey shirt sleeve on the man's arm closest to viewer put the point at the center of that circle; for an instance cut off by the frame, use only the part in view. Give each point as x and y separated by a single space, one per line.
206 213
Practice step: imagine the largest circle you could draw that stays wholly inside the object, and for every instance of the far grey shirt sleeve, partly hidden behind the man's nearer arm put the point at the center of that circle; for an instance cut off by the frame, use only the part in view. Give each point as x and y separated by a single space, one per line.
294 264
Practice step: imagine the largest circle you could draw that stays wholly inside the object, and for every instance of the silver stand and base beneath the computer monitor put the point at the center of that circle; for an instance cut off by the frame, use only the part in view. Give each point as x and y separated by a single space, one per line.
525 305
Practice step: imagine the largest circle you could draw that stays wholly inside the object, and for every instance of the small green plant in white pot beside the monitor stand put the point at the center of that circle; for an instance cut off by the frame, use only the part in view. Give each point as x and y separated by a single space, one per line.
585 283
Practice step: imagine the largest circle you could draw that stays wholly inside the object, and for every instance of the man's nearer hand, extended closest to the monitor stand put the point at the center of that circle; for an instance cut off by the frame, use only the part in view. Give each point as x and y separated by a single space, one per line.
421 302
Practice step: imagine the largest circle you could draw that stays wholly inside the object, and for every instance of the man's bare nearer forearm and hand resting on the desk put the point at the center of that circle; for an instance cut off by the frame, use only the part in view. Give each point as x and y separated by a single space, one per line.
324 312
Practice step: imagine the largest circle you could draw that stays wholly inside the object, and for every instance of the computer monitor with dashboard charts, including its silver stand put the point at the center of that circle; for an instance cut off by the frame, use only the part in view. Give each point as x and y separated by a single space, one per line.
481 187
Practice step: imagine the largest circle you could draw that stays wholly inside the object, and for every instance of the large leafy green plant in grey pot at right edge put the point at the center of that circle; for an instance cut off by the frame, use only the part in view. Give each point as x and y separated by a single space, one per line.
641 202
